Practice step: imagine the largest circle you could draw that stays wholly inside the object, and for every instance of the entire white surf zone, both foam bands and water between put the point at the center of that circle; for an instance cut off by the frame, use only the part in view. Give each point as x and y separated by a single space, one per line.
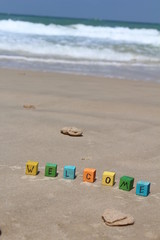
78 44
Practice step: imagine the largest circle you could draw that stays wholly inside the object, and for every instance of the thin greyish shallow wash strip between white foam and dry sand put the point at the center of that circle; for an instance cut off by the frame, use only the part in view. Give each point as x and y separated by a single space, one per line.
122 72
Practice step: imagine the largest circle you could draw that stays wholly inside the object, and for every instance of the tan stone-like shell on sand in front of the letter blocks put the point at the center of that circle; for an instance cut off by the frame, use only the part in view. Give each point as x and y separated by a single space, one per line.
112 217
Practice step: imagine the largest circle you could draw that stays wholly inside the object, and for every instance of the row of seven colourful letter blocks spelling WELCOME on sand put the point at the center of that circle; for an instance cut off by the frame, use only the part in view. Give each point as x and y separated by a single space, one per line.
89 175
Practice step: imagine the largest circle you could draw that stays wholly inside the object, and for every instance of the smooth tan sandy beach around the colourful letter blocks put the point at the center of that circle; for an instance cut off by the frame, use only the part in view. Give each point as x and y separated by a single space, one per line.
121 125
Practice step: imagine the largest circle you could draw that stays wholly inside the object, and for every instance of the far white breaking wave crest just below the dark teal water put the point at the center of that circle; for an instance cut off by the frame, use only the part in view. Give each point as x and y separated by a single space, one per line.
139 36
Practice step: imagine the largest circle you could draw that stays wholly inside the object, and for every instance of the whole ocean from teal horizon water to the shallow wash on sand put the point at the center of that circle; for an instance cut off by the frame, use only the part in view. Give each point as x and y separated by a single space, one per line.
94 47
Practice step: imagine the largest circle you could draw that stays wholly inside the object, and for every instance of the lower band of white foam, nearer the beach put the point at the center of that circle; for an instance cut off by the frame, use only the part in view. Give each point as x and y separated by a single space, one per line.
42 52
